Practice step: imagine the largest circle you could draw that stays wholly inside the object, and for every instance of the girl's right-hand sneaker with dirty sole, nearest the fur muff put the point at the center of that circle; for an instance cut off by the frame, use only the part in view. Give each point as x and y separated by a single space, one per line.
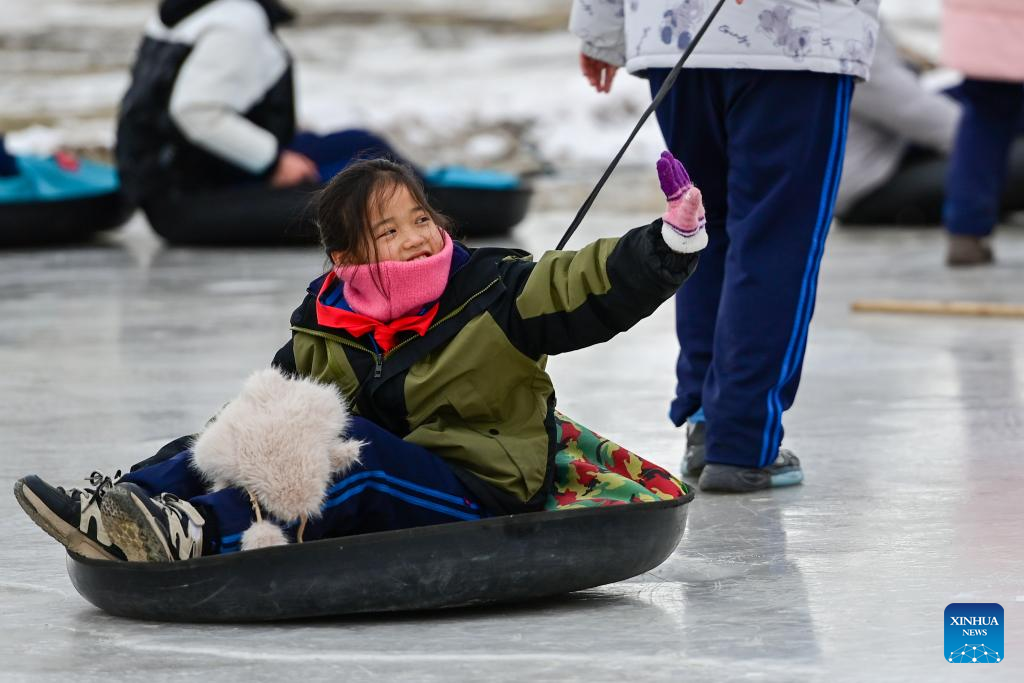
161 529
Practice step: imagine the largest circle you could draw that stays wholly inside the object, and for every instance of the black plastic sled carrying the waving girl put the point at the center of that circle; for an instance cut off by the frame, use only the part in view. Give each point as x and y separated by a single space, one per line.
501 560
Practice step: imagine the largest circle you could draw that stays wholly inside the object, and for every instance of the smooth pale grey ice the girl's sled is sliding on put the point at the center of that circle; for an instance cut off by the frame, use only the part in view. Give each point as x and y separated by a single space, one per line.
911 430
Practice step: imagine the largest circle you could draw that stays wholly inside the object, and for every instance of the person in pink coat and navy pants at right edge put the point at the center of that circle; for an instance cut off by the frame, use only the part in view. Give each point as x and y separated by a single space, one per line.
982 38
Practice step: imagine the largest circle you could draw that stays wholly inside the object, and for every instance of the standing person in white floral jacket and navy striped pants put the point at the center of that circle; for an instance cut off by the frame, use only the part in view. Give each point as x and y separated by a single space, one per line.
759 116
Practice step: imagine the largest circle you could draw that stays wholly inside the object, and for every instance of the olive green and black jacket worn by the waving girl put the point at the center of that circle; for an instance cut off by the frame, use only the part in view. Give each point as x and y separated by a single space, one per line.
474 390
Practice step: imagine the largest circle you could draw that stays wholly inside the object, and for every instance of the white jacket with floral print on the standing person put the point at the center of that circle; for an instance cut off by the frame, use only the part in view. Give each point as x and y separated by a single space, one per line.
827 36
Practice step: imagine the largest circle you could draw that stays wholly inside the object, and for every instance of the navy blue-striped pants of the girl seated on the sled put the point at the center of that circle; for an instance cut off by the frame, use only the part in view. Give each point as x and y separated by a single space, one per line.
398 485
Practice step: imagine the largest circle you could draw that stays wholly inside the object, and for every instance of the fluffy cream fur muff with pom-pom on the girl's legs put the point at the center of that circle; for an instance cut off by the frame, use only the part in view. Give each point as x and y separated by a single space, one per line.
282 441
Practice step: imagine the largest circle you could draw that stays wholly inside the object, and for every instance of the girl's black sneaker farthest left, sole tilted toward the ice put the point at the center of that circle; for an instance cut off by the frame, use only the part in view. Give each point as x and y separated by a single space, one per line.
70 517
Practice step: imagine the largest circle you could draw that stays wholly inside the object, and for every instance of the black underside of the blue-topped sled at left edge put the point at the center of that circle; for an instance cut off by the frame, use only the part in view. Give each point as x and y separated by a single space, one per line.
61 222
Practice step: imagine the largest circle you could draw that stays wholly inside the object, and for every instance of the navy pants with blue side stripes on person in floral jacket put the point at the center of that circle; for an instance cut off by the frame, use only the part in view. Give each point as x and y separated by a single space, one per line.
766 149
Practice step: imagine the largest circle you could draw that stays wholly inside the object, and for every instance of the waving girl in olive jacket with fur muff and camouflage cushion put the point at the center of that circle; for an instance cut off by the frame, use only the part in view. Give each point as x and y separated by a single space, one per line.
413 391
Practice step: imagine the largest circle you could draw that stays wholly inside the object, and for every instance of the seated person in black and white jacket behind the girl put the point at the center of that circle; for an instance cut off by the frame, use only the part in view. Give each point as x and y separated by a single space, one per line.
212 105
